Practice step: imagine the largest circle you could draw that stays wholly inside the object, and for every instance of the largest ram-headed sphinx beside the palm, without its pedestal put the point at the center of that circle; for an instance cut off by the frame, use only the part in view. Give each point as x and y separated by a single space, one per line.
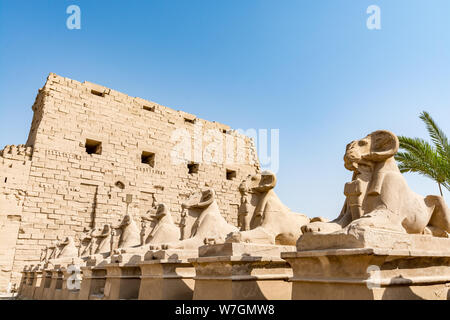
379 197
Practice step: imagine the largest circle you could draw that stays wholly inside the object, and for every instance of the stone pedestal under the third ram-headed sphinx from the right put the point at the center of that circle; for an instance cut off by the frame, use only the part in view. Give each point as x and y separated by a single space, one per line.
167 275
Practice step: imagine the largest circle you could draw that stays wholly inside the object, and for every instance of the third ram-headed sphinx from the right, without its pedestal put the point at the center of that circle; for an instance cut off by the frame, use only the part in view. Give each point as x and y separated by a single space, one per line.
210 224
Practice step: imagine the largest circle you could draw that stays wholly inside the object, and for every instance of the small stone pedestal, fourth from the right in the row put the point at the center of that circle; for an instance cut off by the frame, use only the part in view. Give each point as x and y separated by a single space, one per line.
122 281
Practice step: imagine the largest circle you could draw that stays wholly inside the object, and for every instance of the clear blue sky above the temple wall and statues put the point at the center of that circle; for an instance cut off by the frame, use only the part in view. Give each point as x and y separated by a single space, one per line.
309 68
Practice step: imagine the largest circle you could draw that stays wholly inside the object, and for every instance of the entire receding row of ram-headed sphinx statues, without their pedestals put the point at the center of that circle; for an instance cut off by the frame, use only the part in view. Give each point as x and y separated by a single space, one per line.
377 197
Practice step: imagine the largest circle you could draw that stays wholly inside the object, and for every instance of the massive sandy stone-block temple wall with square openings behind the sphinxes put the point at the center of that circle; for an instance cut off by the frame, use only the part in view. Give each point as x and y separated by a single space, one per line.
94 154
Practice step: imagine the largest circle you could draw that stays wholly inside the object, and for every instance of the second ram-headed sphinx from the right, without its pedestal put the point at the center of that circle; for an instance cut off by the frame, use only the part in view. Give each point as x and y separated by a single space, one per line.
275 223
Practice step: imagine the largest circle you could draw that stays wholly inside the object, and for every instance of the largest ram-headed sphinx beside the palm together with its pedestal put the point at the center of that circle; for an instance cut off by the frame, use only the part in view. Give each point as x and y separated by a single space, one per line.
387 243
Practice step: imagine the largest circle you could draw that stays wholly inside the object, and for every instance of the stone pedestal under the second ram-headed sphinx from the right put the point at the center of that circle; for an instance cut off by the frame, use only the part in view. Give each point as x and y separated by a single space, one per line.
241 271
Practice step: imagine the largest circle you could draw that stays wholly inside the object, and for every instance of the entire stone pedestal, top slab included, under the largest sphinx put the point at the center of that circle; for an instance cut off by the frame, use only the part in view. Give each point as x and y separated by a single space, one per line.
408 267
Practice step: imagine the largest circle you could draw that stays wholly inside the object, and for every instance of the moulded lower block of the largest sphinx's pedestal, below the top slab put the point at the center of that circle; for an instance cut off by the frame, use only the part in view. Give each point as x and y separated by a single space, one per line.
370 274
